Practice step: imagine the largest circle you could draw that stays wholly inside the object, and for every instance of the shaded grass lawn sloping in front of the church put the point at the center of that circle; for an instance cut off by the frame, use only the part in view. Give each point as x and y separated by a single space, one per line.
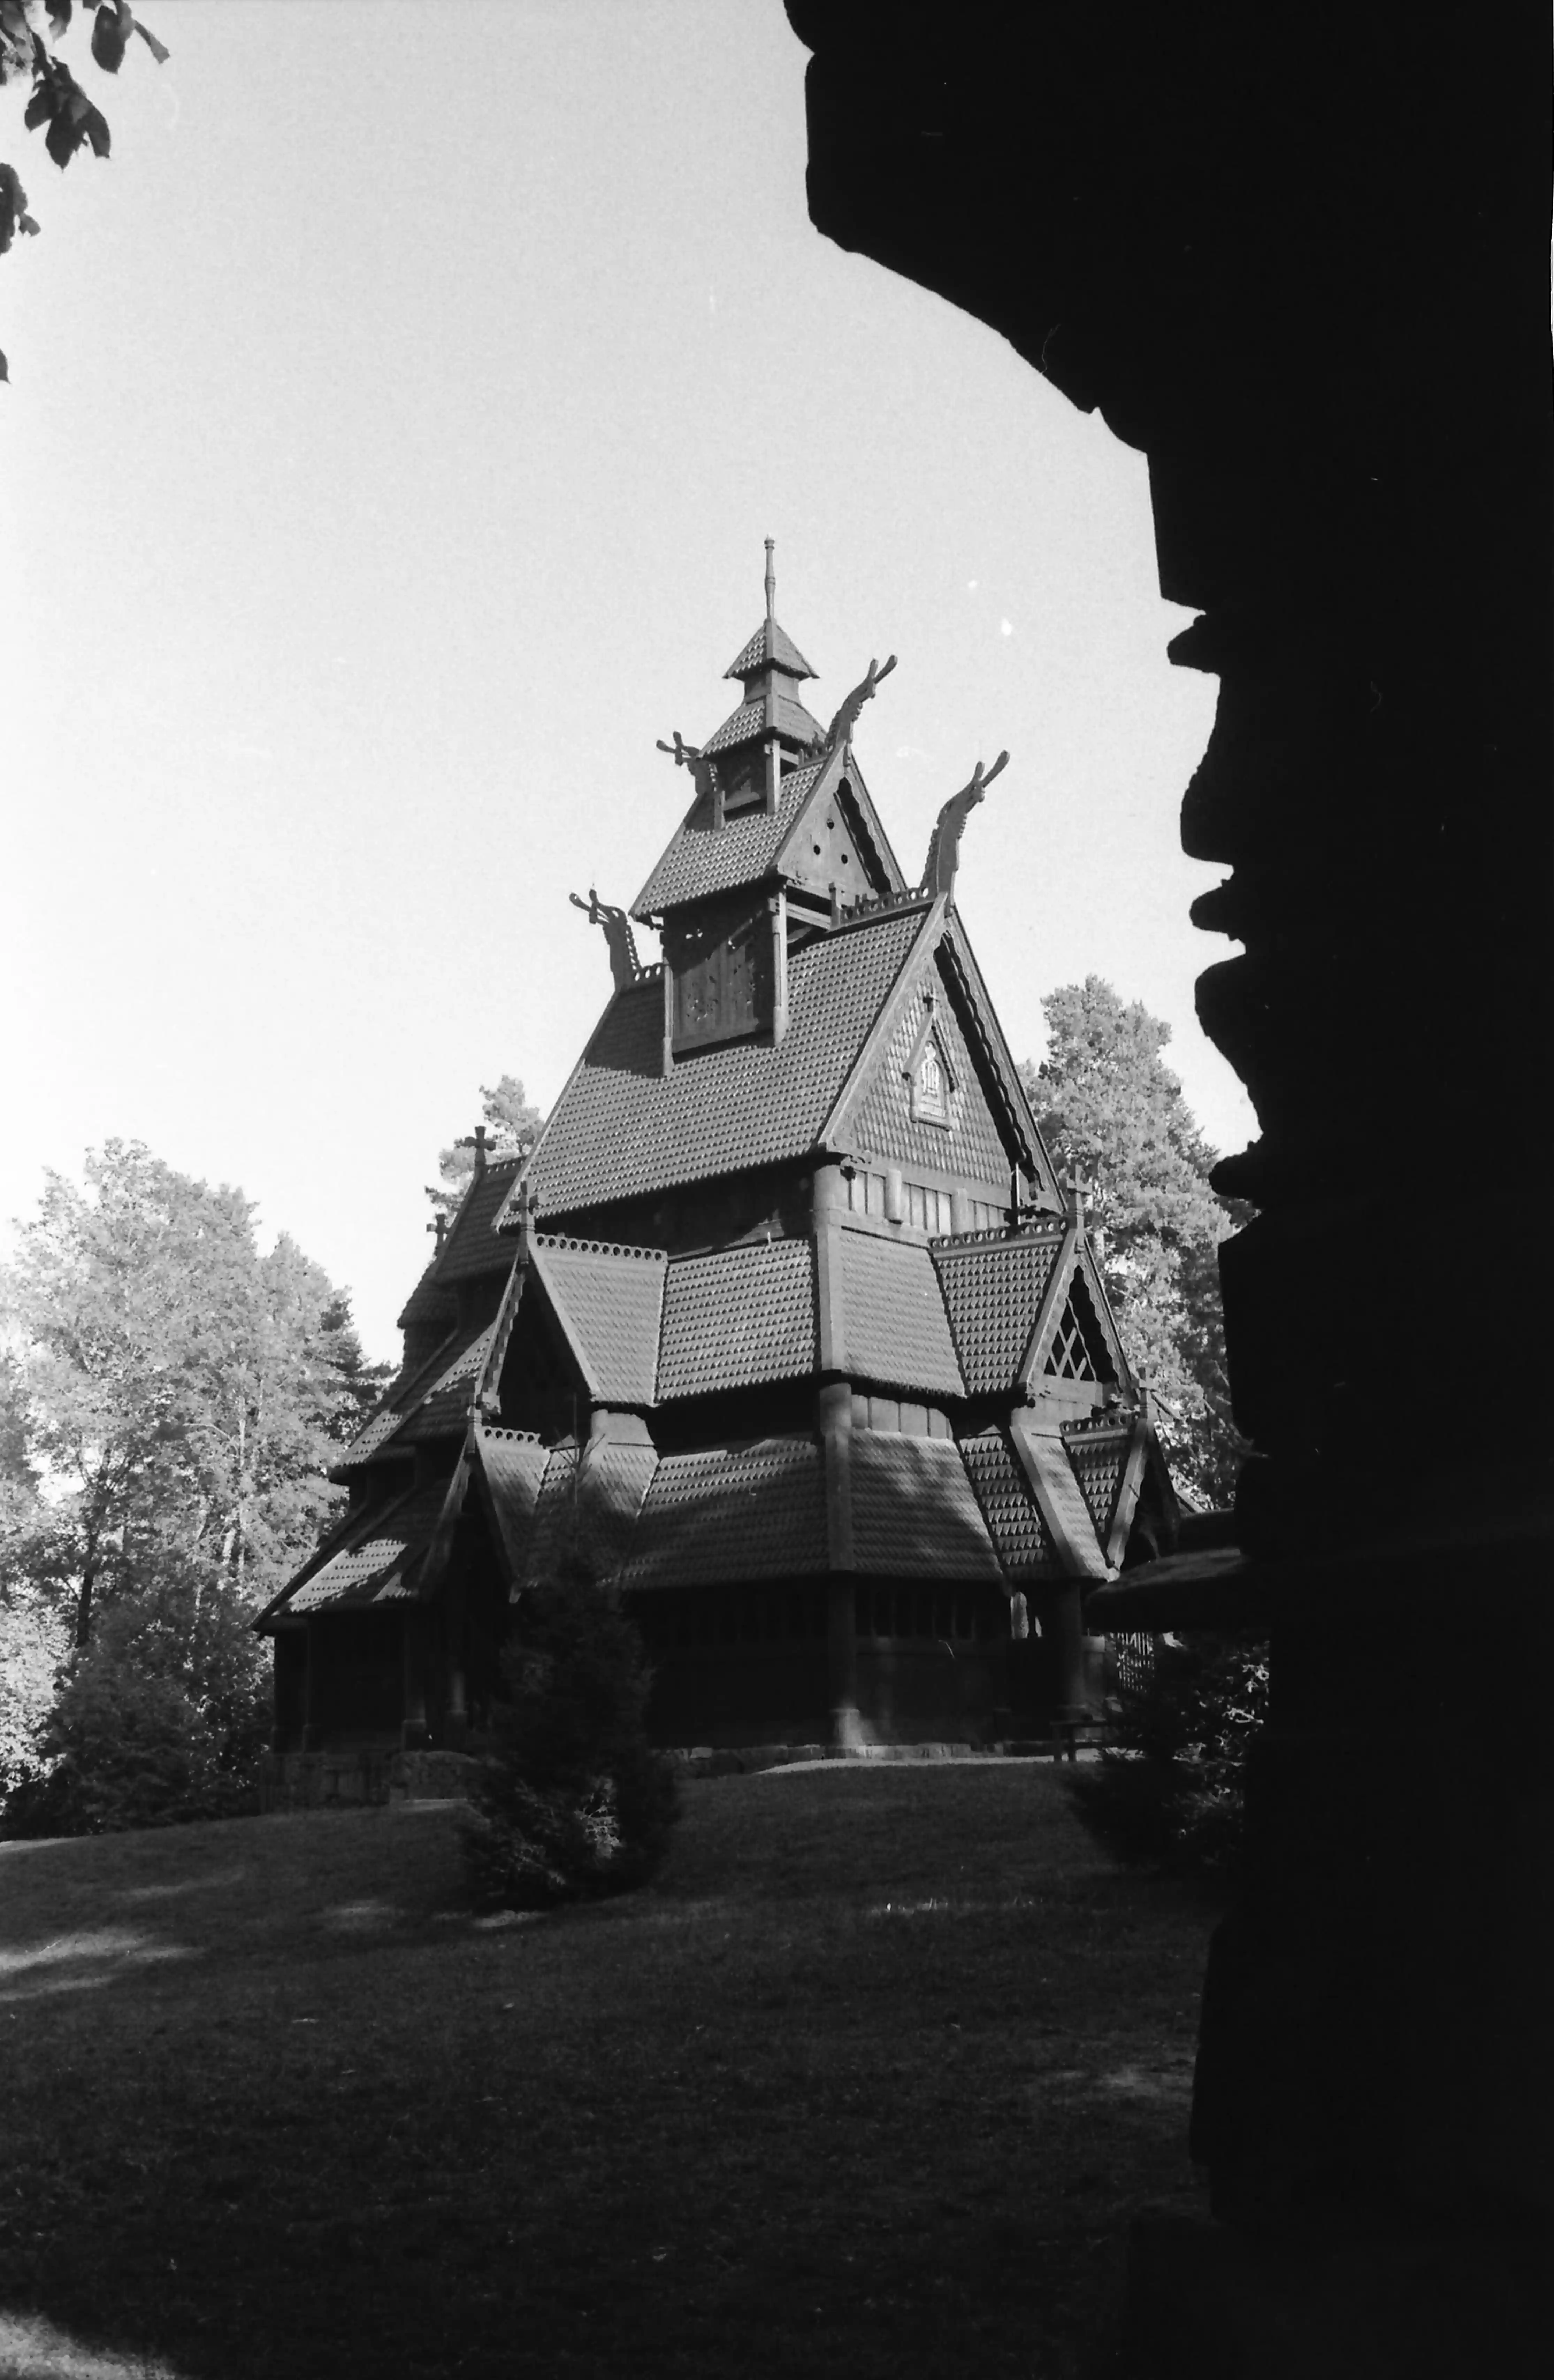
870 2081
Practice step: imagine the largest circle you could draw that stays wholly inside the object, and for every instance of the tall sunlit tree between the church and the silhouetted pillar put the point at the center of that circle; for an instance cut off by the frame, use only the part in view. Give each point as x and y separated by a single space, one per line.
1105 1098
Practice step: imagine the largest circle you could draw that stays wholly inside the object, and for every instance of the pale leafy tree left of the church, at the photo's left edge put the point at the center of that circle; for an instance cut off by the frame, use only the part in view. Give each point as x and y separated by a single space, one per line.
177 1398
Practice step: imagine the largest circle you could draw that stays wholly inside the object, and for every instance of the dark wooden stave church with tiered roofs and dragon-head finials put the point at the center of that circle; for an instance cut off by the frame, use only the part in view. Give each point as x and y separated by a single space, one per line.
787 1324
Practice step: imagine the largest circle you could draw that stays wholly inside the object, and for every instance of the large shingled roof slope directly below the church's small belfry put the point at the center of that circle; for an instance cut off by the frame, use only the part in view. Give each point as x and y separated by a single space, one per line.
625 1127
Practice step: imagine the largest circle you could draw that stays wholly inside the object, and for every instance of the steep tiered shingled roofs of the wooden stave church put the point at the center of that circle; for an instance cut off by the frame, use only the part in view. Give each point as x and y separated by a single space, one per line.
963 1339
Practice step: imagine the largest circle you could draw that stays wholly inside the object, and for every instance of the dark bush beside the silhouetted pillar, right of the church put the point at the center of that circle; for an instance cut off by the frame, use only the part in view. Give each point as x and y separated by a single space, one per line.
1172 1784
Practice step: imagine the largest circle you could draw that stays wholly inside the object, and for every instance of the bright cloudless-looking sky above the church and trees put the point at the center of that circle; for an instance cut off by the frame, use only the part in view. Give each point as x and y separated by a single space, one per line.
391 439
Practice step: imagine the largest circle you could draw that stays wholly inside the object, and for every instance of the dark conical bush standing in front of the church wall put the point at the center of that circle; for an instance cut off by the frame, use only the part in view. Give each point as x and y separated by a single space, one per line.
572 1800
